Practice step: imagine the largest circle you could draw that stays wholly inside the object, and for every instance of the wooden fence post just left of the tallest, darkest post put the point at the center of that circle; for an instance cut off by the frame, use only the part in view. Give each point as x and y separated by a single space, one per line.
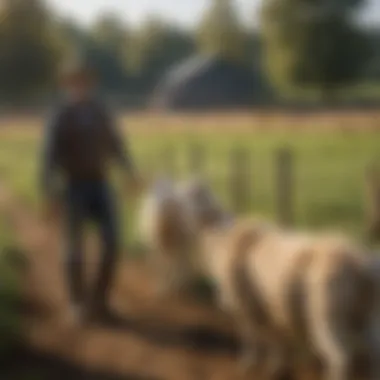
240 180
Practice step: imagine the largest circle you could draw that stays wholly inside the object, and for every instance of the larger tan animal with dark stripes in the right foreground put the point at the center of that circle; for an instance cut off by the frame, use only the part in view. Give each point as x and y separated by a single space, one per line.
287 289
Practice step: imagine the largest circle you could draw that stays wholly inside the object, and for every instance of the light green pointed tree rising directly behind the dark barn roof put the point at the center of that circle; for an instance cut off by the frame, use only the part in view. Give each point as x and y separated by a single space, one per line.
220 32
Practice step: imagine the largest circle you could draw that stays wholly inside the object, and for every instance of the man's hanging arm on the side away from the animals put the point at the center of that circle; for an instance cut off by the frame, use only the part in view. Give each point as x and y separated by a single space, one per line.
49 156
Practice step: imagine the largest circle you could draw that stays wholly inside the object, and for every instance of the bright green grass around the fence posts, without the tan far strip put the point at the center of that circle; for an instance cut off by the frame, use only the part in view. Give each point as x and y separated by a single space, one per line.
329 169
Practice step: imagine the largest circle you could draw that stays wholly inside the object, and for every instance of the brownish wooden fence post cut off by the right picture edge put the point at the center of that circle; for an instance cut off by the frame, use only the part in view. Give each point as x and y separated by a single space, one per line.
373 202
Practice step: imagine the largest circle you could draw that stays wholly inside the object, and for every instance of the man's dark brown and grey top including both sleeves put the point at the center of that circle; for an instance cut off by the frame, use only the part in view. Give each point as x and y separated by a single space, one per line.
80 140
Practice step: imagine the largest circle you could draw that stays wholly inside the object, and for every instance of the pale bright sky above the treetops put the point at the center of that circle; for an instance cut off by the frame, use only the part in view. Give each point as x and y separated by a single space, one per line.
186 12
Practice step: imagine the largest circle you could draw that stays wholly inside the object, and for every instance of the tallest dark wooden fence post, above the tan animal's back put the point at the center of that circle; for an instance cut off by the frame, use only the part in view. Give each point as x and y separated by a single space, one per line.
285 186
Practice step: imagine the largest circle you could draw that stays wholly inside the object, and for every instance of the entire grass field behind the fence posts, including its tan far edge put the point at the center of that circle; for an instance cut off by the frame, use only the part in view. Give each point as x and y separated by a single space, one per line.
331 155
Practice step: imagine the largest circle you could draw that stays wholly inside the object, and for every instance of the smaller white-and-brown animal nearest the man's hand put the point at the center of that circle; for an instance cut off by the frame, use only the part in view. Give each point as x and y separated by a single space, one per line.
167 229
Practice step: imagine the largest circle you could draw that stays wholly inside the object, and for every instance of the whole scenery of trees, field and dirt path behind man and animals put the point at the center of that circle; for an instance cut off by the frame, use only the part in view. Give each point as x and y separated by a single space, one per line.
277 102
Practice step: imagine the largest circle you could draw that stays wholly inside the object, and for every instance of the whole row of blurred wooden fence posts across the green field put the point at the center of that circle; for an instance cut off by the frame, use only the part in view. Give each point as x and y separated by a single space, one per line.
242 187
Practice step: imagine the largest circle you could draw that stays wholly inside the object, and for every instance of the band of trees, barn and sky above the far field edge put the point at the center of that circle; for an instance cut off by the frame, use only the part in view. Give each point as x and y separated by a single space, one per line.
300 50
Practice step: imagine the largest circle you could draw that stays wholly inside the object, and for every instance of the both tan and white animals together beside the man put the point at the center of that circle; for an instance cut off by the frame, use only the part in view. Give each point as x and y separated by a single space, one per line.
286 291
